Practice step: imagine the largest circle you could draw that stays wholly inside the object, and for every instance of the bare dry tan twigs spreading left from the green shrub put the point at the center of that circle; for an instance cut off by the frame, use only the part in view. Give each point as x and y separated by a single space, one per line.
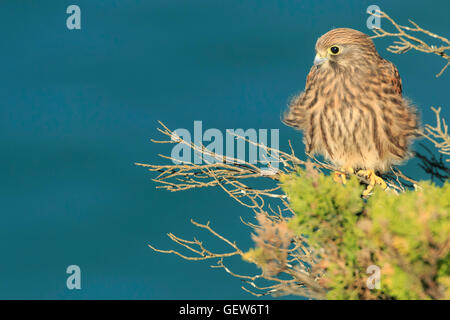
288 266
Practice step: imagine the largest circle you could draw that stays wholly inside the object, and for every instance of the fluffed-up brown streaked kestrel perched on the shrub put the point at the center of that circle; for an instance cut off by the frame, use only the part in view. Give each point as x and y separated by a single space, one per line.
352 110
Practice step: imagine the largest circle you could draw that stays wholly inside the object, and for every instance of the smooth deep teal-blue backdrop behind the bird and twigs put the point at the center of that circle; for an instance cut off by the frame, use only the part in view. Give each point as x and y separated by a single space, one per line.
77 110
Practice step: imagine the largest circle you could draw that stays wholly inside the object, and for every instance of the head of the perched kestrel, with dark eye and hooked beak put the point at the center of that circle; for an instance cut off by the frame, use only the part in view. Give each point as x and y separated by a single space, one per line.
344 47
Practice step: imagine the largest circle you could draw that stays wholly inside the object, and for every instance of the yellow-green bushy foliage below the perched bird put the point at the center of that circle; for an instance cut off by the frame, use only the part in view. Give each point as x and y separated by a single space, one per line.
406 235
